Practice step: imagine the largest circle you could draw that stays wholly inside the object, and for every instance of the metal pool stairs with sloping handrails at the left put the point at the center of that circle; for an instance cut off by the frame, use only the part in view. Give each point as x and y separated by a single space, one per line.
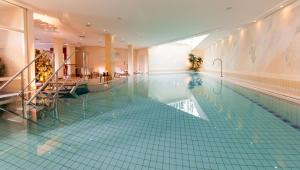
28 97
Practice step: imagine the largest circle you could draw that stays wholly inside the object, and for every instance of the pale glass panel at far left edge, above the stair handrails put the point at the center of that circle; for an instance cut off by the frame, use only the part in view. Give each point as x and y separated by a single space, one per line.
12 44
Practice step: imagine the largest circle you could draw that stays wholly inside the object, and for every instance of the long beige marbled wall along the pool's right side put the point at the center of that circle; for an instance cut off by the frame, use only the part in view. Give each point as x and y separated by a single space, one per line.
269 47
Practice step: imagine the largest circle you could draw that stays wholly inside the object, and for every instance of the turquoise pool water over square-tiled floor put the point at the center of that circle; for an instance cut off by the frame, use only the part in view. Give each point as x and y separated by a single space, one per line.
169 121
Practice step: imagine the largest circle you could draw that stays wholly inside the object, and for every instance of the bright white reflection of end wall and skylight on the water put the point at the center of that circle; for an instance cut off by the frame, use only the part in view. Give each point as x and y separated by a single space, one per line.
168 89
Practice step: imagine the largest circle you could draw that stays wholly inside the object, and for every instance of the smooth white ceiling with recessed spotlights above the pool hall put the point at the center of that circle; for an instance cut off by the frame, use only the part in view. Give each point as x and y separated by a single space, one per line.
145 23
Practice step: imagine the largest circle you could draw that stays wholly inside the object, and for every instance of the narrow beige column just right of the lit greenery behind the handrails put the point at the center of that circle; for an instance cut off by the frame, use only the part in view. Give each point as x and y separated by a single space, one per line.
59 56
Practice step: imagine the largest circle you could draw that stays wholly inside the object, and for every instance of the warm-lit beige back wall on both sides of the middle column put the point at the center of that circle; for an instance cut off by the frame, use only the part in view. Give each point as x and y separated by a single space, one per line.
96 58
